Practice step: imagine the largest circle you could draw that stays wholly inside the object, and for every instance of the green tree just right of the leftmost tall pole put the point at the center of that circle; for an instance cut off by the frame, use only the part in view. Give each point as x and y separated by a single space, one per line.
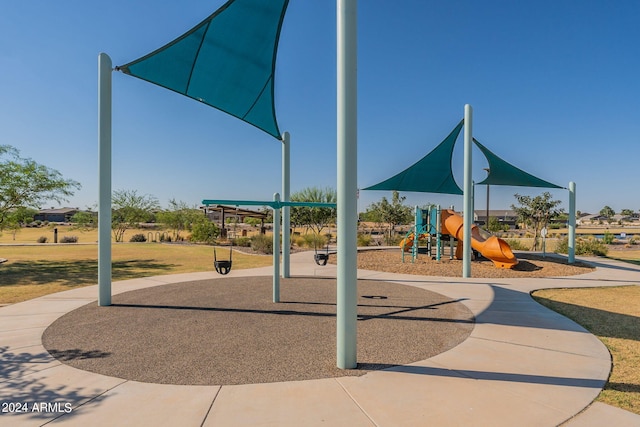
129 209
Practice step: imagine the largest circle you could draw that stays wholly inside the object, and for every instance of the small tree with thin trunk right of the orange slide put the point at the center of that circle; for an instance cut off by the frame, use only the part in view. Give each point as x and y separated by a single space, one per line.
535 212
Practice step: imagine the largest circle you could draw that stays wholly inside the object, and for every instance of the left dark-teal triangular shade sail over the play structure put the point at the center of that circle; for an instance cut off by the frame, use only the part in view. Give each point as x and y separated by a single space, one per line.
431 174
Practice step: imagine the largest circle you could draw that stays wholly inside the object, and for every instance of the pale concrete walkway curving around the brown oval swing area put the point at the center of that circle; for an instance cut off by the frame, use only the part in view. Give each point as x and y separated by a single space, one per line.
522 365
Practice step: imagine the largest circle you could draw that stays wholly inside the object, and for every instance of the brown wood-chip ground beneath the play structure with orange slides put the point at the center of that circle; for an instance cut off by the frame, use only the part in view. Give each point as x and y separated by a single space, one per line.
529 265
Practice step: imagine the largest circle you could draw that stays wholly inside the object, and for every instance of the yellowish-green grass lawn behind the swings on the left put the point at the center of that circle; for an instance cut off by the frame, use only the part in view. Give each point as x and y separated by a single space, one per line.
36 270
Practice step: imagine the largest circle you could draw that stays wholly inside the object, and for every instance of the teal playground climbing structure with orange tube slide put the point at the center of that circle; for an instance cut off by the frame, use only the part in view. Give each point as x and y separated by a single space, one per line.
434 224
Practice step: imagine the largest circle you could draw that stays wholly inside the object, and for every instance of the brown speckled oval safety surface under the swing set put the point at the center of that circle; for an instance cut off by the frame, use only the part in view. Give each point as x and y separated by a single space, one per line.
228 331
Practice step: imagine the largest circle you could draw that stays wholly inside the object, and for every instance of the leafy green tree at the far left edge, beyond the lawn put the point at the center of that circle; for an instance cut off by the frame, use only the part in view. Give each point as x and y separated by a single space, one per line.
26 183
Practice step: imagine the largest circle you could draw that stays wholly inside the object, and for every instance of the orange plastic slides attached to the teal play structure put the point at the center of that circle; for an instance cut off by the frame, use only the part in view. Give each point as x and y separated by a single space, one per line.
493 248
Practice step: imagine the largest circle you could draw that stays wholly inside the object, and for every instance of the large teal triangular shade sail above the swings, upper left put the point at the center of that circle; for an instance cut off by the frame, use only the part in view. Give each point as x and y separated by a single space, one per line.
227 61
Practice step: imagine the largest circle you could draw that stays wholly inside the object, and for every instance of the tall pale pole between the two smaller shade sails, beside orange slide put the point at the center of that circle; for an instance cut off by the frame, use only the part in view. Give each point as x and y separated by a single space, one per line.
468 193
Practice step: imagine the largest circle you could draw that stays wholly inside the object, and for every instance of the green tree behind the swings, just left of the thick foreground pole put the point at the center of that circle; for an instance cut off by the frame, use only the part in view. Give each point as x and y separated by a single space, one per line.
315 219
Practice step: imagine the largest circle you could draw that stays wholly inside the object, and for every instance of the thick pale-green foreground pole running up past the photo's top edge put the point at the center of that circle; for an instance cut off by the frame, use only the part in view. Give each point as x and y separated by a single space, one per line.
347 141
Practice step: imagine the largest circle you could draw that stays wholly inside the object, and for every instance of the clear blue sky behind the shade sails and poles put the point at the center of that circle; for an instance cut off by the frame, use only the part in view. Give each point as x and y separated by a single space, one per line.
554 85
